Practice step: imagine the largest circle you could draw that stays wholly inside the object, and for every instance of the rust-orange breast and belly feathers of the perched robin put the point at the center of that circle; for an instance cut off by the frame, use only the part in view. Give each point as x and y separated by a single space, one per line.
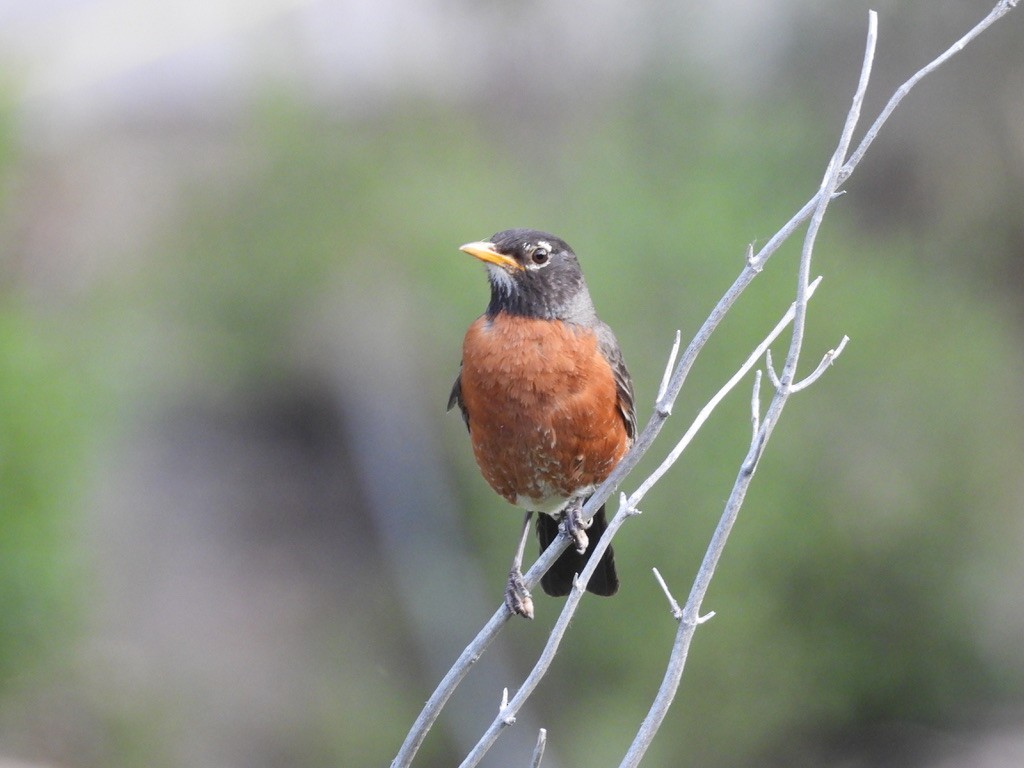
543 409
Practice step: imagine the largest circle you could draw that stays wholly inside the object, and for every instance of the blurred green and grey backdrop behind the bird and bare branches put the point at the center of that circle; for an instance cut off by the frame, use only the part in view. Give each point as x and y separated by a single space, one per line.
237 527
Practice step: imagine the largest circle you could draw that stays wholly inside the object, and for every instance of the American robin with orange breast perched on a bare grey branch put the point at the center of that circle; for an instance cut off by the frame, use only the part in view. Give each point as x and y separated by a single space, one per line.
548 402
